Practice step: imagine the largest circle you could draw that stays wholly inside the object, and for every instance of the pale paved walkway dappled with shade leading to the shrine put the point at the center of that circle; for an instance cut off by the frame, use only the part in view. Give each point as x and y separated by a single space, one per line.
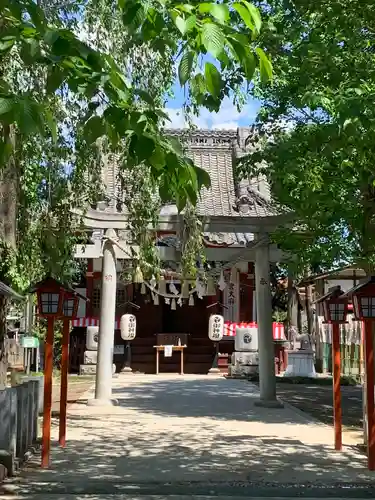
172 434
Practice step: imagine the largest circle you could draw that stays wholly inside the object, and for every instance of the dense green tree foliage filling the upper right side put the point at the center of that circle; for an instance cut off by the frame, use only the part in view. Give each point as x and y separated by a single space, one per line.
318 117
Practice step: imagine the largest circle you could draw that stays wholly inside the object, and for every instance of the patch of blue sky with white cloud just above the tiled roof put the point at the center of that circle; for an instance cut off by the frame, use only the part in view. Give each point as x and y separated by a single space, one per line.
227 118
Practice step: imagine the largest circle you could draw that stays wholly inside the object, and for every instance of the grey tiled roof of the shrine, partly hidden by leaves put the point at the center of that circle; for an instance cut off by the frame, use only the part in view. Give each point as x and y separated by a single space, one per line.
216 151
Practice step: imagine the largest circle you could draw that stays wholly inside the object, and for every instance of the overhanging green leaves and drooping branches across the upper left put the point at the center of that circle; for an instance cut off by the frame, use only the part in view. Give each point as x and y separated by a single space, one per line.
79 79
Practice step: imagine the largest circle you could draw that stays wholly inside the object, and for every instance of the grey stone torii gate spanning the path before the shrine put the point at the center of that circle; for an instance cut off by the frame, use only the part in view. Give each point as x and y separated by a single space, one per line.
260 251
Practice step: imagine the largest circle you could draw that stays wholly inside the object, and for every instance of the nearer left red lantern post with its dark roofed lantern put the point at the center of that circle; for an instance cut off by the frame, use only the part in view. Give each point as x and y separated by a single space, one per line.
50 296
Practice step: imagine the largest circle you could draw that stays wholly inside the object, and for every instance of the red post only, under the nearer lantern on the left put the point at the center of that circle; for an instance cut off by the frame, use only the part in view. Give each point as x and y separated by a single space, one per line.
47 404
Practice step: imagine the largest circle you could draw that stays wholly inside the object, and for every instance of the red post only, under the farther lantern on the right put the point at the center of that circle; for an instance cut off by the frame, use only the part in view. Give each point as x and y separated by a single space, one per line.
337 410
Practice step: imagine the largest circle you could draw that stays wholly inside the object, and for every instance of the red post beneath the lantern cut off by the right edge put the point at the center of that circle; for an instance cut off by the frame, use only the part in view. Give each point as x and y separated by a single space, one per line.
369 360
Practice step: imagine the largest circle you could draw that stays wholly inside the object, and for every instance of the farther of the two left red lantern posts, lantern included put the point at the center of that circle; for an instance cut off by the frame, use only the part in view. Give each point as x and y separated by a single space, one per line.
69 312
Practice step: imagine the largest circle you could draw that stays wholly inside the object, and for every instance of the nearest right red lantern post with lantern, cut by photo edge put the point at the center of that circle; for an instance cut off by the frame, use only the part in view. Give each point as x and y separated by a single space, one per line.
363 297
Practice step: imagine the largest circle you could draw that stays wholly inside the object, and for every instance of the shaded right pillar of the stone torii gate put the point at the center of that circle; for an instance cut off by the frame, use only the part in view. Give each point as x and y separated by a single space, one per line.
267 379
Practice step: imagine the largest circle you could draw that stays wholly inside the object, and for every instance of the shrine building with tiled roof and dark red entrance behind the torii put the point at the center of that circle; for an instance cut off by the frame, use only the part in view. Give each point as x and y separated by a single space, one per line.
227 207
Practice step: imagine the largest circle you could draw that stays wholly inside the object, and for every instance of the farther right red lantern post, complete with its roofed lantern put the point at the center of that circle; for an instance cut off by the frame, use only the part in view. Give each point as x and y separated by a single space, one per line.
335 308
